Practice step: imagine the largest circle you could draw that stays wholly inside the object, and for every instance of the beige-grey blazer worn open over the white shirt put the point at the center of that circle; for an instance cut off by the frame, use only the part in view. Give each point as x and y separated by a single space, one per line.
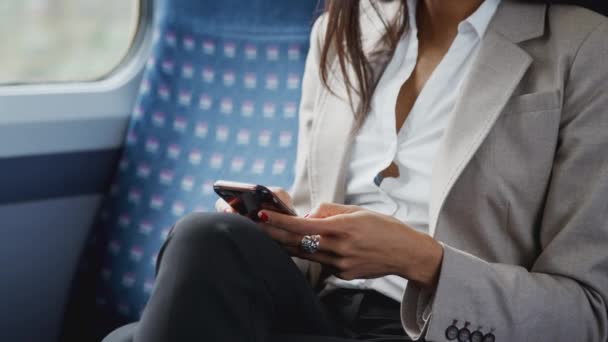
519 195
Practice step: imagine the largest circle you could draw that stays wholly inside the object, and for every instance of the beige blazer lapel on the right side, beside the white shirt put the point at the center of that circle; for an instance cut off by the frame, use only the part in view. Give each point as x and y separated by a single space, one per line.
498 69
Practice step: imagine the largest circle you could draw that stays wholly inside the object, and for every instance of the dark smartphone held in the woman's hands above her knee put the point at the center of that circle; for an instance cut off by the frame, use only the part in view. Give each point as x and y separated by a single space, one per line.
249 199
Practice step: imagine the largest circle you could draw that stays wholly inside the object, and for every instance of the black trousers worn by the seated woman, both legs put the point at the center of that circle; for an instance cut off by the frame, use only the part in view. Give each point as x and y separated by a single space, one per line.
220 278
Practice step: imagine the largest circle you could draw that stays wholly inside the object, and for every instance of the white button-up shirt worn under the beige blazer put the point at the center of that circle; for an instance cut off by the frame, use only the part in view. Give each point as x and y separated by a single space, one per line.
414 147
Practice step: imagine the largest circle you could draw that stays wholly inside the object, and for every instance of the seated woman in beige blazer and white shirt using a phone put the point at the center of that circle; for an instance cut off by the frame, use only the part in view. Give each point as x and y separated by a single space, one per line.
468 202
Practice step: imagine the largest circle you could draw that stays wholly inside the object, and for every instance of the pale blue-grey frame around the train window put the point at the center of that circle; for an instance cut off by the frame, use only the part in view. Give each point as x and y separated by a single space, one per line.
58 113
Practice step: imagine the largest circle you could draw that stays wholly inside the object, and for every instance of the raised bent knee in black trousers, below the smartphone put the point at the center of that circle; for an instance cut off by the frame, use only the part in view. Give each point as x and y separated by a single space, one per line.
229 274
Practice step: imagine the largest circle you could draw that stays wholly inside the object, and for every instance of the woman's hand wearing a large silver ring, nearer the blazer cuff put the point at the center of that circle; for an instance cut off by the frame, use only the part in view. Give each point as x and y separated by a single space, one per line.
358 243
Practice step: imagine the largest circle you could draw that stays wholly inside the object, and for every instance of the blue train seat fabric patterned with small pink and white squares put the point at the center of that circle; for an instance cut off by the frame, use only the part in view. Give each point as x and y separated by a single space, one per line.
218 100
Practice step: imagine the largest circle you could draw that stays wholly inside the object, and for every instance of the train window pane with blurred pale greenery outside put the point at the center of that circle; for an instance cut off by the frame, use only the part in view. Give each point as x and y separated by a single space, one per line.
64 40
